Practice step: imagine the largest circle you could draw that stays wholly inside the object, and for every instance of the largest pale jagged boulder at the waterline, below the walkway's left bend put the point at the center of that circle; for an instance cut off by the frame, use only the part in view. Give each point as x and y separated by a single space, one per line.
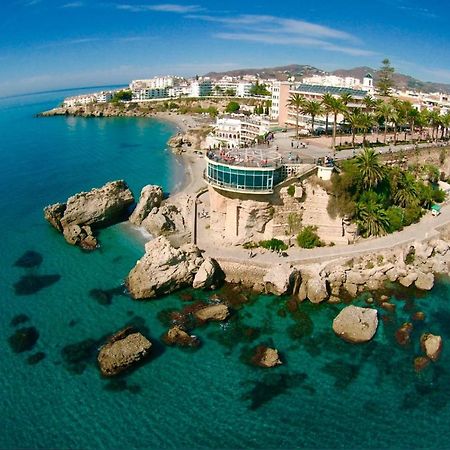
163 269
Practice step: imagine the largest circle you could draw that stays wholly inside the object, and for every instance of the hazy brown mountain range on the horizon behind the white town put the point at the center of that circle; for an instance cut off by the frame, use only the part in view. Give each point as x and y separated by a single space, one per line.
299 71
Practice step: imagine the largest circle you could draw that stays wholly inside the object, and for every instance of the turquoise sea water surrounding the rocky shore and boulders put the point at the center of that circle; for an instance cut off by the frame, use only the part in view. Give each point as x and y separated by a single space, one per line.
329 394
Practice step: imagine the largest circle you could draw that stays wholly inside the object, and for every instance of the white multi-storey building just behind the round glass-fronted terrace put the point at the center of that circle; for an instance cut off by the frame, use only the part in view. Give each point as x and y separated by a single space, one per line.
237 130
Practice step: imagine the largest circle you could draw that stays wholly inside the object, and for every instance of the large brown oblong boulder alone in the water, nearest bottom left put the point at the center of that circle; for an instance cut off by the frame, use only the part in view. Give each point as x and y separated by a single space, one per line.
124 349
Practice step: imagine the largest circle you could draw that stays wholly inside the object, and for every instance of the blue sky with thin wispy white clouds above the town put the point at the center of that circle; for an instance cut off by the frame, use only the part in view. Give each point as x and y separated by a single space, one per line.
52 44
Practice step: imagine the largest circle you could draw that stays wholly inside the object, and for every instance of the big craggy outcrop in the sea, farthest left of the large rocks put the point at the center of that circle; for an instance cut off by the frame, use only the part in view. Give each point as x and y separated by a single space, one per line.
87 211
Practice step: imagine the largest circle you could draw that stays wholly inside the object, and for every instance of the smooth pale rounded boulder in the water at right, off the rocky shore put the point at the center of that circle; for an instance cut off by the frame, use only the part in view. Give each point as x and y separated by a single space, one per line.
354 324
